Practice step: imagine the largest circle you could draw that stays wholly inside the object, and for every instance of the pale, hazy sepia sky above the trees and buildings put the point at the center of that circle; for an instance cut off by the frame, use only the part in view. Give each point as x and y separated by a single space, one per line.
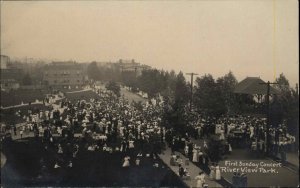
250 37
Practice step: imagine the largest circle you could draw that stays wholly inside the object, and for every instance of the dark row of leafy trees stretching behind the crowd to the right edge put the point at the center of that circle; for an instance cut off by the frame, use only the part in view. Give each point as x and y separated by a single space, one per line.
212 97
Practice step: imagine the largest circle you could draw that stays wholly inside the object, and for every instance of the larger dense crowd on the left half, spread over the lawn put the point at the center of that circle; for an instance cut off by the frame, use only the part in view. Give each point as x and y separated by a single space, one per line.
106 123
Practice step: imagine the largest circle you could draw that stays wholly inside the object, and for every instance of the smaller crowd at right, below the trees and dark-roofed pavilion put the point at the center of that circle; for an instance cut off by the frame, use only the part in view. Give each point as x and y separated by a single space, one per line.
239 132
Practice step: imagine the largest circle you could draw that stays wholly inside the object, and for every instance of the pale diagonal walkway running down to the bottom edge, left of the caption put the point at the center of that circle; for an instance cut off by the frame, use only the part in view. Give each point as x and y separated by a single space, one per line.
192 169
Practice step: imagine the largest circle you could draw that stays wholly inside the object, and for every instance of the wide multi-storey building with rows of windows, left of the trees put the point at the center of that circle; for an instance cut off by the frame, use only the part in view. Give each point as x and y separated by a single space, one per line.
64 75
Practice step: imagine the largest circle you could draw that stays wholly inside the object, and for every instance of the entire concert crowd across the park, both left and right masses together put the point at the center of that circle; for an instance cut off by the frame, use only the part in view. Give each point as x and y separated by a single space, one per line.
108 123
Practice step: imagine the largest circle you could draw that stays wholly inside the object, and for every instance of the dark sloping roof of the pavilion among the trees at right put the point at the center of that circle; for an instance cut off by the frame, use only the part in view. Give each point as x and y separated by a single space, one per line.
253 85
